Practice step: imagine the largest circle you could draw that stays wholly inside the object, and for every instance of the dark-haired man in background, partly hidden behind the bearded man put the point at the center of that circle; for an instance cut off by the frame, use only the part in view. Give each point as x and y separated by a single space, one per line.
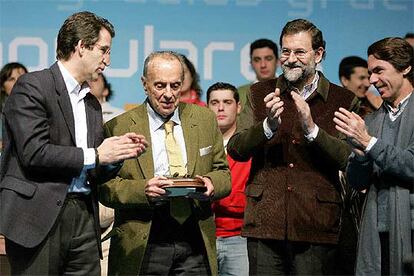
264 58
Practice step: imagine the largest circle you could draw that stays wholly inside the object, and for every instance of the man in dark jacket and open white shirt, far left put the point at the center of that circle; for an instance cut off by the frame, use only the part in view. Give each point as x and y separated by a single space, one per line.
54 154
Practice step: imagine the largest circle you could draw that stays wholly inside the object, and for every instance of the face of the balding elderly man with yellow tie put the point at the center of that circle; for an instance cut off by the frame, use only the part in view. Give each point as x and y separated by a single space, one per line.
163 84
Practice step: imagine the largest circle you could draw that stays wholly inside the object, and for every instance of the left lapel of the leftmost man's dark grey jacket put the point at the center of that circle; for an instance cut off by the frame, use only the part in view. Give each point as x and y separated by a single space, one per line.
64 100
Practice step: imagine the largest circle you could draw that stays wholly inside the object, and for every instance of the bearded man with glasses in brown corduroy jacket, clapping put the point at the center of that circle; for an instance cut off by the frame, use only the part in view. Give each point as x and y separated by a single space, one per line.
293 211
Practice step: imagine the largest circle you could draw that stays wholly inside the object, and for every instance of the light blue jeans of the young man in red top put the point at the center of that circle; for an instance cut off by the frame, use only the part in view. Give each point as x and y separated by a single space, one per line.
232 256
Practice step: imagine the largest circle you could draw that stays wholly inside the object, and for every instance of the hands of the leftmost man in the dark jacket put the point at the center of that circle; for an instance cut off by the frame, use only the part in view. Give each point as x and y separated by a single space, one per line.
119 148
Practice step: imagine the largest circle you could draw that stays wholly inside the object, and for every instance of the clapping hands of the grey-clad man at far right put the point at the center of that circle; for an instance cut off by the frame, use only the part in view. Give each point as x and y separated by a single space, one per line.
354 128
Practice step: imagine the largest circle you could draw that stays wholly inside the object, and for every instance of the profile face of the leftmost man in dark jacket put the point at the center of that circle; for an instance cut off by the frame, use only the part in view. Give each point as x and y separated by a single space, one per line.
96 57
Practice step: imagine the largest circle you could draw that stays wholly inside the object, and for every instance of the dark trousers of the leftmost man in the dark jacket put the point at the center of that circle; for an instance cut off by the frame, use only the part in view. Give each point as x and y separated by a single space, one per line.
69 249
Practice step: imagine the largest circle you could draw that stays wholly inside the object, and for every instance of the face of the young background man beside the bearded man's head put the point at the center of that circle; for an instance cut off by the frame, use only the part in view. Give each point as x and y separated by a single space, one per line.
264 63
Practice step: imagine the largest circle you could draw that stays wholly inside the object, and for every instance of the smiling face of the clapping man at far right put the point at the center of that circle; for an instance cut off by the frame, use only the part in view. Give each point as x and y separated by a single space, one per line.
386 79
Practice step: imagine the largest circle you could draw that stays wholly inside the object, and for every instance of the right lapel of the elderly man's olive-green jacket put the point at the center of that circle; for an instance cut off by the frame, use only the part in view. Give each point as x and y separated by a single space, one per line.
190 131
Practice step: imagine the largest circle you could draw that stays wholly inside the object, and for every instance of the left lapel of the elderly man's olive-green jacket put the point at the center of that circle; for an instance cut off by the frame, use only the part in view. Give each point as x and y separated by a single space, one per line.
140 124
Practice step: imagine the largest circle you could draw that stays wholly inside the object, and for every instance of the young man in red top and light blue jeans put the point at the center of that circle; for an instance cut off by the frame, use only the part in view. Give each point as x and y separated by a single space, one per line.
223 100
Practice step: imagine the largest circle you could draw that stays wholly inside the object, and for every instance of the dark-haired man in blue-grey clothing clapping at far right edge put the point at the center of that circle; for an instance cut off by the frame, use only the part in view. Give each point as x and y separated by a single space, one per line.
382 161
